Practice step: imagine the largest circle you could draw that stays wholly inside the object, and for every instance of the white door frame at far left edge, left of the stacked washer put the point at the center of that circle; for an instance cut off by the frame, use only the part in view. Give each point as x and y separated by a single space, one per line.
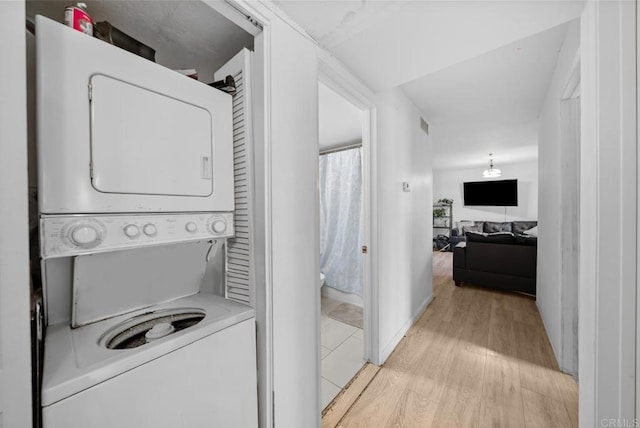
15 328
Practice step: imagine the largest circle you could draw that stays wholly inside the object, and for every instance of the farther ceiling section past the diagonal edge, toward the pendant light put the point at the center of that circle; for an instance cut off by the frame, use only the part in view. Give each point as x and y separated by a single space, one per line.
490 103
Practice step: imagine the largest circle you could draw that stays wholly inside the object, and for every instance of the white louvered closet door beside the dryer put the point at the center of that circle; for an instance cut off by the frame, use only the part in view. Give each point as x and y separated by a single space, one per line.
240 249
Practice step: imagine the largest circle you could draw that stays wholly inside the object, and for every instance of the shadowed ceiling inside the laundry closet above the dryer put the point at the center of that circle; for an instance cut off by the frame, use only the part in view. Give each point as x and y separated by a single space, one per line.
185 34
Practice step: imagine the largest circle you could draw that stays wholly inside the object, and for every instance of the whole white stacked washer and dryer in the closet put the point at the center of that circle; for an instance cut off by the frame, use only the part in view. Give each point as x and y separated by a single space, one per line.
135 183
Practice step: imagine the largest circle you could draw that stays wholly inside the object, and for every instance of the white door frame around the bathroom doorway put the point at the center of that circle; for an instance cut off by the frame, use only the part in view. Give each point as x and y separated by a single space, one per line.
332 74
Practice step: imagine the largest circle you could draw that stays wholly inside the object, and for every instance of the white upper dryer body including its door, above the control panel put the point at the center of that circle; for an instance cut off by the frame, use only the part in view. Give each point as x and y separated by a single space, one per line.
120 134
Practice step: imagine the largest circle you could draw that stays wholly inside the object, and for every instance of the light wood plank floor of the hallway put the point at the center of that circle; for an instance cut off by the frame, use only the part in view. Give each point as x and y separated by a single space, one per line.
475 358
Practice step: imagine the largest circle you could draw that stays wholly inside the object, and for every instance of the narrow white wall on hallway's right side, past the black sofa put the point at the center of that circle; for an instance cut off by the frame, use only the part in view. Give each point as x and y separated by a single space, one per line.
550 192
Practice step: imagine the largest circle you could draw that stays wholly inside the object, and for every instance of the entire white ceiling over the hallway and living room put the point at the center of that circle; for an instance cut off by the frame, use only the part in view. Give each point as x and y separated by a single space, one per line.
477 70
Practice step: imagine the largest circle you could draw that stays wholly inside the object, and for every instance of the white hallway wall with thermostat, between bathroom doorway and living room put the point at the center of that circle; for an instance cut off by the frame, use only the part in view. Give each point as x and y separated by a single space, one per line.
404 236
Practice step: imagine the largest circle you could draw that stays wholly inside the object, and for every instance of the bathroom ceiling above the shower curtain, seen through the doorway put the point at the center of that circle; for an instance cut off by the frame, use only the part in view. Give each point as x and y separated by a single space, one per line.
340 122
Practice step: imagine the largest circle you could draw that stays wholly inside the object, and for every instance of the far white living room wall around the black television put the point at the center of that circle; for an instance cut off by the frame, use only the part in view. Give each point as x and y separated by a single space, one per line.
447 183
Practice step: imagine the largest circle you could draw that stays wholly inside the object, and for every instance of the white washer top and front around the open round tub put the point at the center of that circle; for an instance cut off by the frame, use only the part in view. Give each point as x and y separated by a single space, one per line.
202 376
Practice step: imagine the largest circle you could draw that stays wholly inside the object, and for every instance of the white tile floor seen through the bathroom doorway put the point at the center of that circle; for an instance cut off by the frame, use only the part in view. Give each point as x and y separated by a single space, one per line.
341 352
